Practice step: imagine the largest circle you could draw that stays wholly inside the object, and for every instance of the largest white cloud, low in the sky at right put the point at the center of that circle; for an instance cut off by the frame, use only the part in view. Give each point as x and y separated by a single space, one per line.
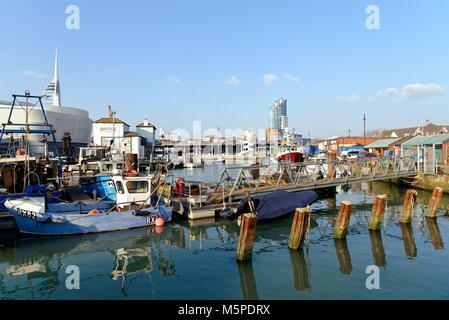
410 91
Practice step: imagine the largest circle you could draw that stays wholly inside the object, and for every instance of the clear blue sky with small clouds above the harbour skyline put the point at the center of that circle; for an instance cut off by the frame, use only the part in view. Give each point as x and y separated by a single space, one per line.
224 62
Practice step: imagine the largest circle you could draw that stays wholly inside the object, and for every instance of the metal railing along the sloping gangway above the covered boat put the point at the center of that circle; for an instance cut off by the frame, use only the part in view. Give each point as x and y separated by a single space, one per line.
241 181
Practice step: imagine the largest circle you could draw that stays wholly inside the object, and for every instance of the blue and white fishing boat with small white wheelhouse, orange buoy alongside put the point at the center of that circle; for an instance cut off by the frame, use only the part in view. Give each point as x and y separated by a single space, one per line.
132 209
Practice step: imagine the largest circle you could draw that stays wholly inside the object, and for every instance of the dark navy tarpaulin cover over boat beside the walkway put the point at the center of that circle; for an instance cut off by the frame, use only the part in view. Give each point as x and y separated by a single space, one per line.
279 203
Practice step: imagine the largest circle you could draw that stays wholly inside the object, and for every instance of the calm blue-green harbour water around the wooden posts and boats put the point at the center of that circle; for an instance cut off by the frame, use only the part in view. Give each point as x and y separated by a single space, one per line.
196 260
